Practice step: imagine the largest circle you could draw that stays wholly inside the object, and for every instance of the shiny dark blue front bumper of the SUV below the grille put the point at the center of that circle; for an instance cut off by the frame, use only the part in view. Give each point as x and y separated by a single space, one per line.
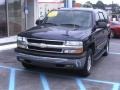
55 62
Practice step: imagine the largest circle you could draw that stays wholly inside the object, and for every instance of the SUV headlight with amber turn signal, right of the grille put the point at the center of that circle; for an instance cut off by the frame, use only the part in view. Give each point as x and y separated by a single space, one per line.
75 44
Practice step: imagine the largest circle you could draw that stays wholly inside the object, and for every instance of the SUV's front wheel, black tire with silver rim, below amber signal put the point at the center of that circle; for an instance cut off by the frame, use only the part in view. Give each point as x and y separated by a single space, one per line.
88 65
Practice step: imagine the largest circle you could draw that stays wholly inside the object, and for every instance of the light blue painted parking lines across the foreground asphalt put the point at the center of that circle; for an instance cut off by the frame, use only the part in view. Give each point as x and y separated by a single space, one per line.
45 84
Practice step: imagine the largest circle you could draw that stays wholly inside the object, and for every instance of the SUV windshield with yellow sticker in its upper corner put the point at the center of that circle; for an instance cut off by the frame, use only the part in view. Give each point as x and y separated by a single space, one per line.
80 18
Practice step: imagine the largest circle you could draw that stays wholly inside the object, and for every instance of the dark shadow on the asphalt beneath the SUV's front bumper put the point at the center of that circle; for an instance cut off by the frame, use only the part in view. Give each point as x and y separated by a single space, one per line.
56 71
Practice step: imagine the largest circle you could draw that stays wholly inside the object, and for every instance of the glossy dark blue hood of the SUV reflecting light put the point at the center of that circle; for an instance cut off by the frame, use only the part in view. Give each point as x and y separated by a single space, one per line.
57 33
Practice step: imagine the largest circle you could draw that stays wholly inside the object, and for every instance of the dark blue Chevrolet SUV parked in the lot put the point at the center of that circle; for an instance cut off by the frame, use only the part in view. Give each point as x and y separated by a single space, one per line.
66 38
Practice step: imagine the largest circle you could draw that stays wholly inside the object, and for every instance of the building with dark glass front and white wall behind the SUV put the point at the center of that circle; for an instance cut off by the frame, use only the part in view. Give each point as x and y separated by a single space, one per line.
19 15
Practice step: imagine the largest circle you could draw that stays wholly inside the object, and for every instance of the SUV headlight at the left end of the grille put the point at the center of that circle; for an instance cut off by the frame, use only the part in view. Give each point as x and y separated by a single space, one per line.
21 42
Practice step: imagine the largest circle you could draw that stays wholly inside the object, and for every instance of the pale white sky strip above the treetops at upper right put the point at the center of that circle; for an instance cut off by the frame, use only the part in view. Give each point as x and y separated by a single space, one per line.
104 1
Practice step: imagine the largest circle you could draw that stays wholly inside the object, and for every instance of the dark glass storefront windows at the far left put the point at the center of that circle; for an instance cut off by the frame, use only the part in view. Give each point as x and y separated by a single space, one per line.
11 17
